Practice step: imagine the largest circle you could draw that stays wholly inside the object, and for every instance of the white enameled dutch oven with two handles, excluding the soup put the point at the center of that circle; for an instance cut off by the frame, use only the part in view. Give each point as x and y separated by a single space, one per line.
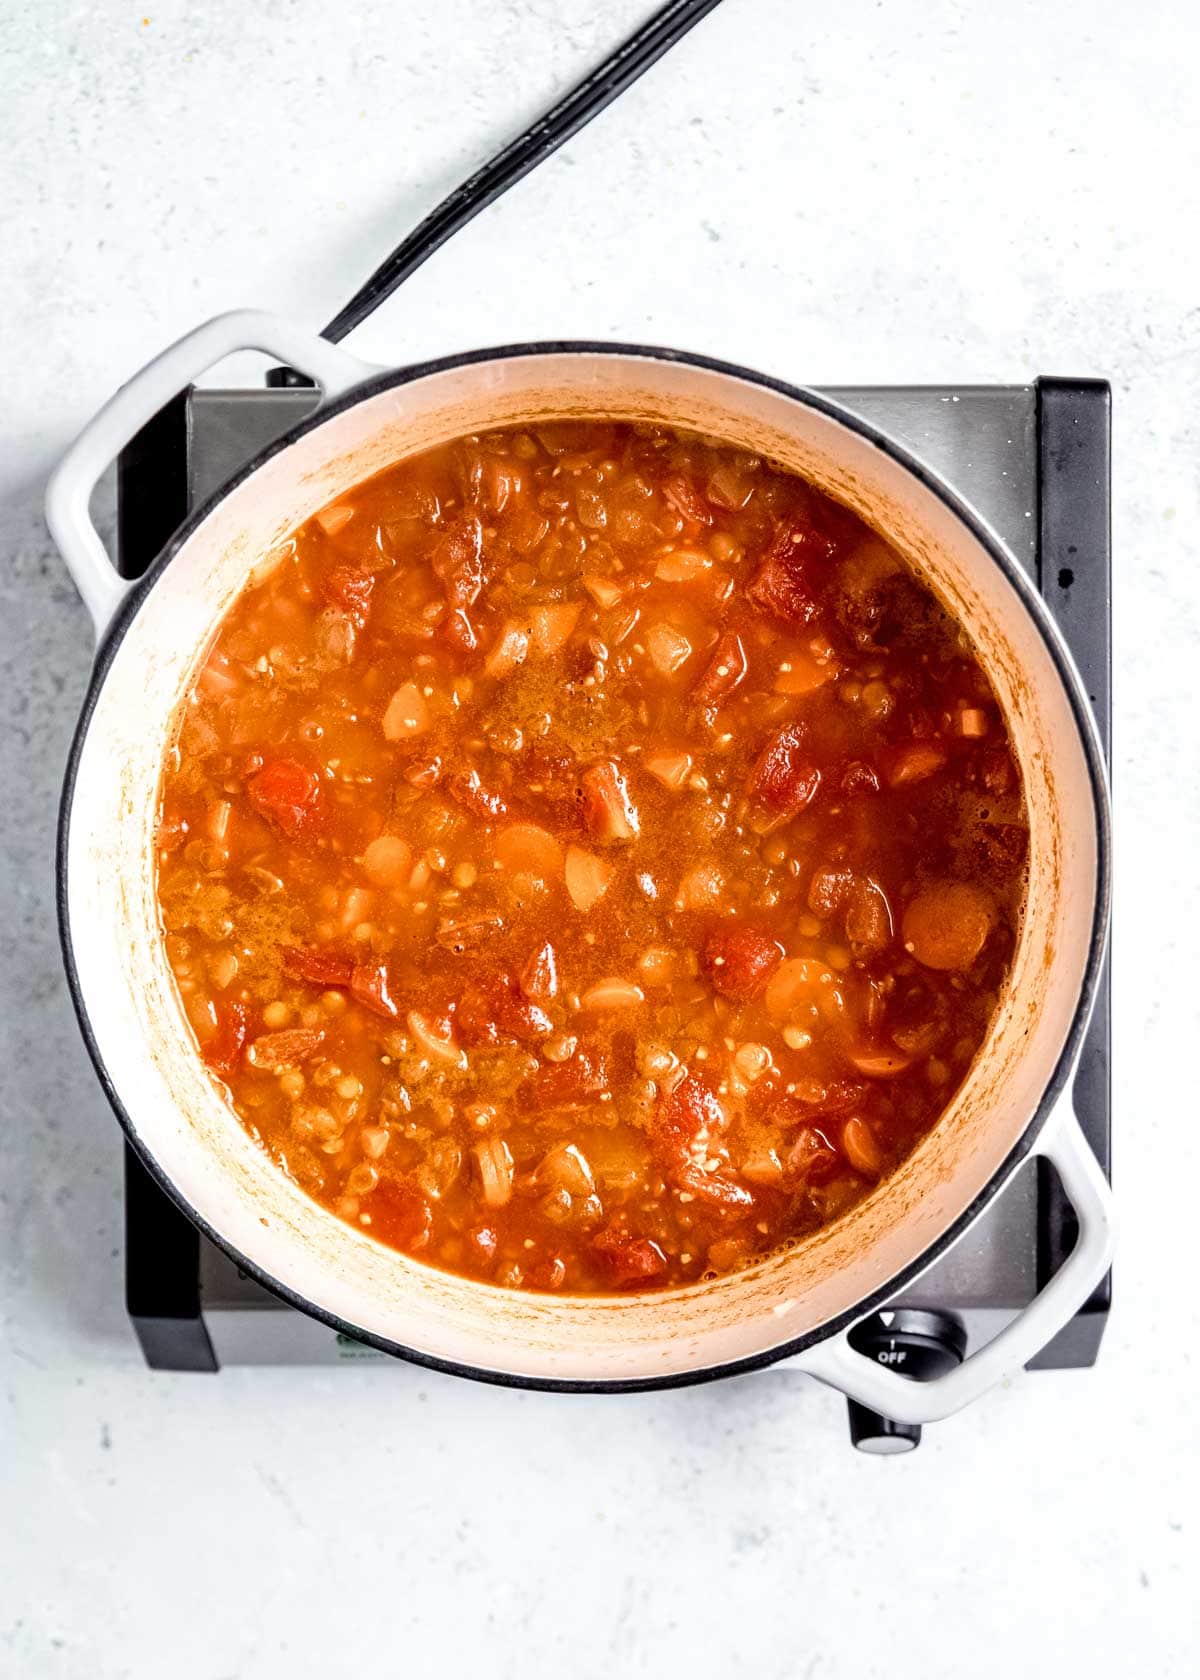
1014 1105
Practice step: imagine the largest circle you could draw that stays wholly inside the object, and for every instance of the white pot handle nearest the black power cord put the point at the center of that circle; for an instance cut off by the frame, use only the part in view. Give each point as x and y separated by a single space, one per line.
120 421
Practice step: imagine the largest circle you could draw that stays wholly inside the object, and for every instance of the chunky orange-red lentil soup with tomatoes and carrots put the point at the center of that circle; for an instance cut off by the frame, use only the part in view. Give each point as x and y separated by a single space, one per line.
589 858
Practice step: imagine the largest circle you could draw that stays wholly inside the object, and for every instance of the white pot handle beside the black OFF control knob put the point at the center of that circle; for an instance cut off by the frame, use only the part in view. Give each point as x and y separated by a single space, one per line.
903 1400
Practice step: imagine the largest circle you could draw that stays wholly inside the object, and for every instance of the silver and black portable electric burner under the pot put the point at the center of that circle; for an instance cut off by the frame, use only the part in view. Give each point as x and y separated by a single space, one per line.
1034 461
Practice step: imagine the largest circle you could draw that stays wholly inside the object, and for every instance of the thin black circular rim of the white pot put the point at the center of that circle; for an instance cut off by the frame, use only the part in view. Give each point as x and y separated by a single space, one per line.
1031 601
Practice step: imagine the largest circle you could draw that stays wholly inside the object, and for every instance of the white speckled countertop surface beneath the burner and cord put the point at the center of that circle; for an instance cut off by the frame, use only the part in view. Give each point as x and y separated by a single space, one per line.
860 194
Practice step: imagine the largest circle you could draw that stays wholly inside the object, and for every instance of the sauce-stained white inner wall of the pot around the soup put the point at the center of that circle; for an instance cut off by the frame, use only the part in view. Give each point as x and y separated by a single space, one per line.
181 1116
